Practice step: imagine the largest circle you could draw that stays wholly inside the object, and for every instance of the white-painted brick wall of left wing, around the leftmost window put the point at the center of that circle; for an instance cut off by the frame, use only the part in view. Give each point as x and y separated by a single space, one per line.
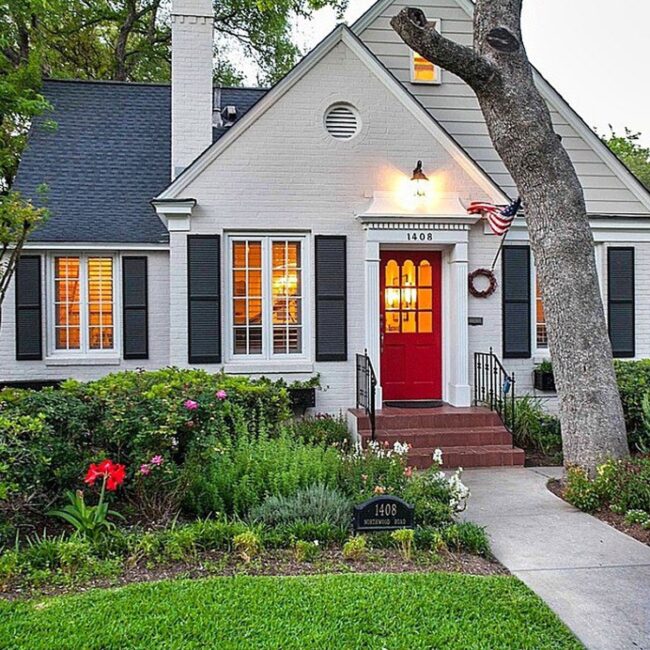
12 370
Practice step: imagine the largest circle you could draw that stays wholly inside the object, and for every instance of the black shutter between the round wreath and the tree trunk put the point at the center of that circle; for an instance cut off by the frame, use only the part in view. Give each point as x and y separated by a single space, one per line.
517 308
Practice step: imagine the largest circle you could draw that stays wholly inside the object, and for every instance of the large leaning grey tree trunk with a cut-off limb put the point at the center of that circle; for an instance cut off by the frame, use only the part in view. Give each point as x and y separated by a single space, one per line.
520 126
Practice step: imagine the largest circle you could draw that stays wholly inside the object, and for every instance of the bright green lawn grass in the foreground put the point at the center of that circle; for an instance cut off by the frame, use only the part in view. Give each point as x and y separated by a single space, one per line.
321 612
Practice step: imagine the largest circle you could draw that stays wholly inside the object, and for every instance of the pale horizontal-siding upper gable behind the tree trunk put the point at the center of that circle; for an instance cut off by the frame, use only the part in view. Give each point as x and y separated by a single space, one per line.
455 106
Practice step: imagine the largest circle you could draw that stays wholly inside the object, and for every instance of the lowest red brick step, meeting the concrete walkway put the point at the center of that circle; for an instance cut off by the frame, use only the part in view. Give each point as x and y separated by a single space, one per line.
476 456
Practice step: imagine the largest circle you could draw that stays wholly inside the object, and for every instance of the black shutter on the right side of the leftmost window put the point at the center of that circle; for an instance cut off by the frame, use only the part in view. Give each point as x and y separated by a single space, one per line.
135 308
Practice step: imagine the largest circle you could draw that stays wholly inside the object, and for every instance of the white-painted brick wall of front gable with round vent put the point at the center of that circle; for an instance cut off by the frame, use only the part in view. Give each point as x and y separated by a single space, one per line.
285 173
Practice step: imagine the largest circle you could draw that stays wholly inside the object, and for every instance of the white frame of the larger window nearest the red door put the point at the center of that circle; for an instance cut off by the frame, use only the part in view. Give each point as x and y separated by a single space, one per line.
268 356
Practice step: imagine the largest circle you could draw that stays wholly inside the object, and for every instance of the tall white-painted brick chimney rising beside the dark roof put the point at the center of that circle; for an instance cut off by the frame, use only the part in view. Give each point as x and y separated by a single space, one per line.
192 52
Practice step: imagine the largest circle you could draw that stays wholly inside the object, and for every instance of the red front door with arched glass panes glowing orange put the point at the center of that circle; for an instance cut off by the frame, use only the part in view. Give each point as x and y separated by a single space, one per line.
411 324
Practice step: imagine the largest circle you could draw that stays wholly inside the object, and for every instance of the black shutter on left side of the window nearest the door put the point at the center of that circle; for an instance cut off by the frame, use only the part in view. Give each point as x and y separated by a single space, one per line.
204 298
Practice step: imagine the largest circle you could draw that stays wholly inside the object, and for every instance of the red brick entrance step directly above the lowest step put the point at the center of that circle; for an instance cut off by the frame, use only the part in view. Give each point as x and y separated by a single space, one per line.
457 437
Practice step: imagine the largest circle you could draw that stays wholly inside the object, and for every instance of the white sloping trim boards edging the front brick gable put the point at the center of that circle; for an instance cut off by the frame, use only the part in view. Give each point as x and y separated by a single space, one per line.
341 34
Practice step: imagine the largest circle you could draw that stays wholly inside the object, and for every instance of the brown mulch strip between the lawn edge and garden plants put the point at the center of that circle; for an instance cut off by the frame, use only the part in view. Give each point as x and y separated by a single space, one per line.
281 562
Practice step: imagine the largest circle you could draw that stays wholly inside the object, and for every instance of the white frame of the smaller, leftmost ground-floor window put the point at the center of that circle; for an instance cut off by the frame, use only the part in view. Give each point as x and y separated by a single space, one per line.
84 352
